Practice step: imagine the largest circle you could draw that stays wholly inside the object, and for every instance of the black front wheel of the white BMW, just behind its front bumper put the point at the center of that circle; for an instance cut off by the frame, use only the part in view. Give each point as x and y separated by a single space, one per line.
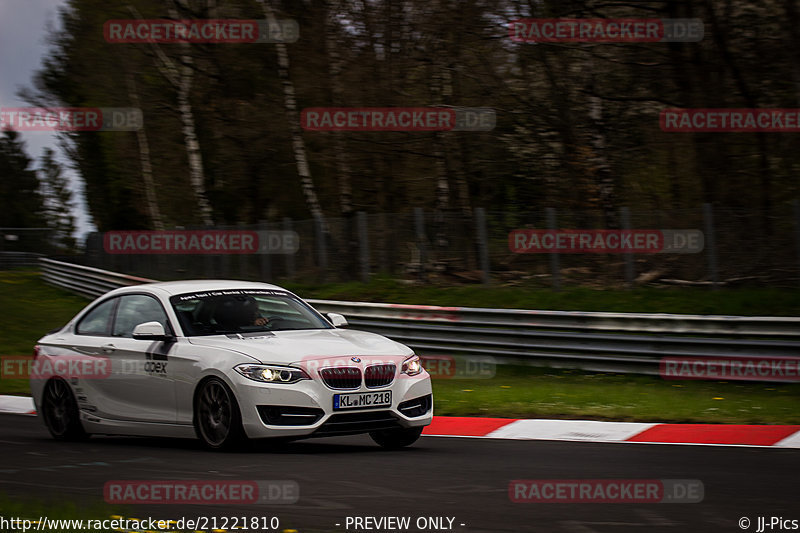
217 419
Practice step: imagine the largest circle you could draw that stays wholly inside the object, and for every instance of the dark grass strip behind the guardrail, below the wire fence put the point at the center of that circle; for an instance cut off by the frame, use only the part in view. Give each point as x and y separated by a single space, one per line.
748 302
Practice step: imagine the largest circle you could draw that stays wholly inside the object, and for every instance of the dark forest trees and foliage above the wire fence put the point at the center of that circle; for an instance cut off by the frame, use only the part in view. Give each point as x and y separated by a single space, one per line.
546 150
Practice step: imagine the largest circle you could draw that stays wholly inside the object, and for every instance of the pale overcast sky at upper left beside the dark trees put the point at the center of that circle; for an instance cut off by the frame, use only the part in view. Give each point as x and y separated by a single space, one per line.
22 45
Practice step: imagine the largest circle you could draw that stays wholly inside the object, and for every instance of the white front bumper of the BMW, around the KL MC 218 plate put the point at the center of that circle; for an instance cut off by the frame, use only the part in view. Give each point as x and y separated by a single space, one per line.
305 408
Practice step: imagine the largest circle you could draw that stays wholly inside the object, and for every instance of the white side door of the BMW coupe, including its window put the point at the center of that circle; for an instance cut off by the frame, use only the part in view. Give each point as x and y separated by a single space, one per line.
144 390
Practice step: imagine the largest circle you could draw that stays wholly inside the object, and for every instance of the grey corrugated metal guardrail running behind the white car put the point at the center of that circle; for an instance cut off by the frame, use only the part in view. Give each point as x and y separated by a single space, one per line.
615 342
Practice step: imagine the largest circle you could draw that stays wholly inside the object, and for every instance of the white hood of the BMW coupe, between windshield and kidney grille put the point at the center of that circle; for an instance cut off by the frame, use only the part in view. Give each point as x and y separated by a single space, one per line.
285 347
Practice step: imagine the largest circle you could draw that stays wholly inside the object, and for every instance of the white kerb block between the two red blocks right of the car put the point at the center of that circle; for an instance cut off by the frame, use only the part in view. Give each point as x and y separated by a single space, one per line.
573 430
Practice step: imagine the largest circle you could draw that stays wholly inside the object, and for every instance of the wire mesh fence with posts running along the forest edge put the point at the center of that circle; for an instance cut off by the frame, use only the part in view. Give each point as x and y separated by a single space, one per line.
739 247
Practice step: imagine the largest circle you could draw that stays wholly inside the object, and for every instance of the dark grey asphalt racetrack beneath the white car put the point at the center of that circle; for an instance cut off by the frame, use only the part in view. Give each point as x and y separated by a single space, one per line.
461 478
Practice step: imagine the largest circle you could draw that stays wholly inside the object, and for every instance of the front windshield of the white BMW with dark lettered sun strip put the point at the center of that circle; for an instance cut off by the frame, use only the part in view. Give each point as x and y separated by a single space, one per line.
235 311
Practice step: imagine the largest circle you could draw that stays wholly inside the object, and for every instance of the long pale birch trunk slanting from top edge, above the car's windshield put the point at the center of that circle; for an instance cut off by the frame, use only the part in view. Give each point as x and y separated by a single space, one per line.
309 191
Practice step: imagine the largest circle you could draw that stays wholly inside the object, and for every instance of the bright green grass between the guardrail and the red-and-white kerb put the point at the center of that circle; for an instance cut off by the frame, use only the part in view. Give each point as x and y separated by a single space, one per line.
527 392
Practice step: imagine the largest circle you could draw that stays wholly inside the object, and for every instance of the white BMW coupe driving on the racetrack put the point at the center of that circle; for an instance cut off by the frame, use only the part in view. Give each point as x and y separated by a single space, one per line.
224 361
